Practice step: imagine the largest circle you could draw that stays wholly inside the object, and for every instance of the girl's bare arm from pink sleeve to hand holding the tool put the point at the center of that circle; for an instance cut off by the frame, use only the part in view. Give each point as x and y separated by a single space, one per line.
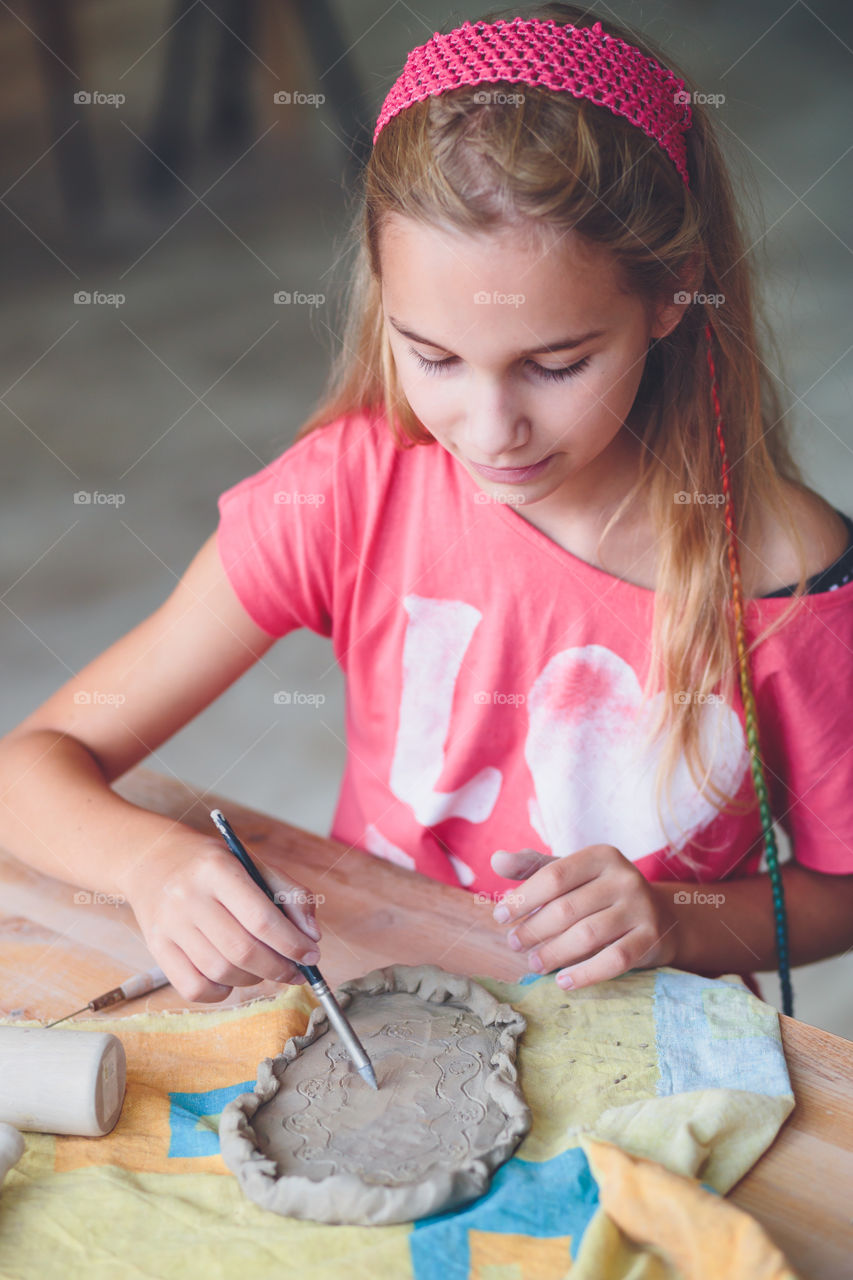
208 926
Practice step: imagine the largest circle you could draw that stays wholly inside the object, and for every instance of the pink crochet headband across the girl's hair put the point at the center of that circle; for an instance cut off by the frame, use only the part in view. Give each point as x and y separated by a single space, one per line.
585 62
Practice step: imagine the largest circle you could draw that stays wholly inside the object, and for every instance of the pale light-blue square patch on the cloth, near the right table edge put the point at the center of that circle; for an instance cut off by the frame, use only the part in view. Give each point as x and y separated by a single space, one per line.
737 1049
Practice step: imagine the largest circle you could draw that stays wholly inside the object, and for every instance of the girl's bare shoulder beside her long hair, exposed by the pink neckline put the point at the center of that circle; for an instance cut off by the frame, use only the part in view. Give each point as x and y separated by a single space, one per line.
769 556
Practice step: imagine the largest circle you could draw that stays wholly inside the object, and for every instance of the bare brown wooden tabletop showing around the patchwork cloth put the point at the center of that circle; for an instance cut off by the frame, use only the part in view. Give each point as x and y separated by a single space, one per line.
377 915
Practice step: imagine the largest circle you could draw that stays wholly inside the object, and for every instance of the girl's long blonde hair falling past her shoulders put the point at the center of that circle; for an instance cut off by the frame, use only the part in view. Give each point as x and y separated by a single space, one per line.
560 163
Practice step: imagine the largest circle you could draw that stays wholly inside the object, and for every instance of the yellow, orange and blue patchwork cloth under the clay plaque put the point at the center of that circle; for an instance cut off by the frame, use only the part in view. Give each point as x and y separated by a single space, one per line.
653 1095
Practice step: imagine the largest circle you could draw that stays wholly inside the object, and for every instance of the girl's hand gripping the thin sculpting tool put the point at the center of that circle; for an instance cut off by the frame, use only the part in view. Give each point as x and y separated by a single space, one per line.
209 927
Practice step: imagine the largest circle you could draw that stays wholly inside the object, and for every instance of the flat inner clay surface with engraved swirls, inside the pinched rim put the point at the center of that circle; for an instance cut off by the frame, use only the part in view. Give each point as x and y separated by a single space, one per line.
432 1108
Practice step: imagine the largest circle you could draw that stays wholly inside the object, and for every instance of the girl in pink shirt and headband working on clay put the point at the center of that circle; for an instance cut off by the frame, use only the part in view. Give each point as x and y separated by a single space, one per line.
549 516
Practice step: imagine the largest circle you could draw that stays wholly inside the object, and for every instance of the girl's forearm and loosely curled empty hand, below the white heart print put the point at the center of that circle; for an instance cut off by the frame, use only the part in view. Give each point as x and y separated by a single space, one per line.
594 916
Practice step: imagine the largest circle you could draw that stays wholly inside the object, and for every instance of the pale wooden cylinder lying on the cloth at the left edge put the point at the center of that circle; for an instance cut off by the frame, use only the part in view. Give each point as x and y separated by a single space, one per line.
61 1081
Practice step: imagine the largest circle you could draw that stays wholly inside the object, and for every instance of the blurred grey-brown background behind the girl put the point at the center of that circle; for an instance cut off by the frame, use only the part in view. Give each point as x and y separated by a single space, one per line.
170 167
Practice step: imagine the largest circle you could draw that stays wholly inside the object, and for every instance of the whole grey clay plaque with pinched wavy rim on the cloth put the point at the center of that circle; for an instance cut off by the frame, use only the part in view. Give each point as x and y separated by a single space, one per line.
316 1141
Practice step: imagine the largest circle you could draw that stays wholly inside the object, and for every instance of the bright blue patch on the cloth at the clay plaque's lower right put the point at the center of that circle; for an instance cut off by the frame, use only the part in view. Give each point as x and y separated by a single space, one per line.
556 1197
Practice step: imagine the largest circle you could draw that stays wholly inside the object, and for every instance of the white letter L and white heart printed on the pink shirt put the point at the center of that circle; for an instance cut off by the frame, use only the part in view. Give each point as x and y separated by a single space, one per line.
592 774
